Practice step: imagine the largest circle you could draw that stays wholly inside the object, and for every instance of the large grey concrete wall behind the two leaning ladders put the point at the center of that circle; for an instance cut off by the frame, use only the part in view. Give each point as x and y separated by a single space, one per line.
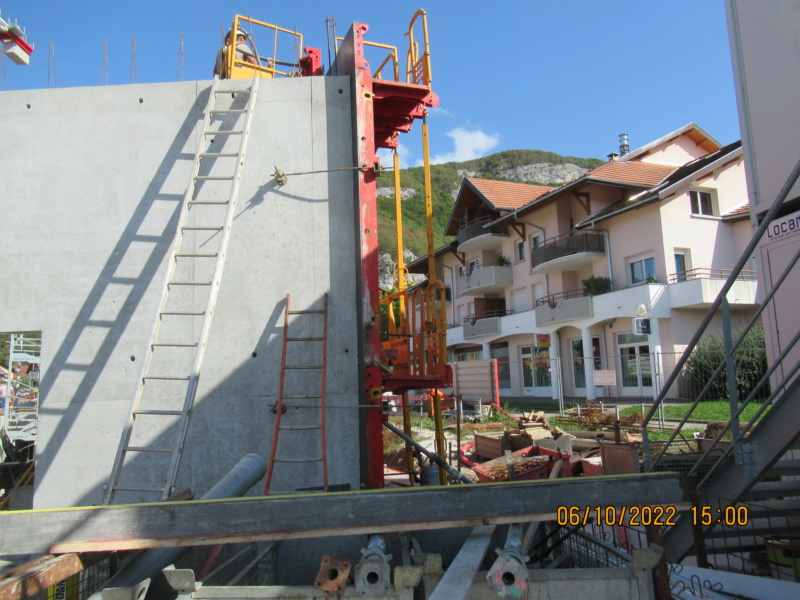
93 185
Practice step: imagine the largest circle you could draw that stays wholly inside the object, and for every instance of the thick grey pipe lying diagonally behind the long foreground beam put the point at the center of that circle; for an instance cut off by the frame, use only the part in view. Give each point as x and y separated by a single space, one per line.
245 474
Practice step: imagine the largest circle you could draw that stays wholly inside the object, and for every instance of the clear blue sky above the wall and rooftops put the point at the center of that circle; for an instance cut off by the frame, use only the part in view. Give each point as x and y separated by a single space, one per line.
565 76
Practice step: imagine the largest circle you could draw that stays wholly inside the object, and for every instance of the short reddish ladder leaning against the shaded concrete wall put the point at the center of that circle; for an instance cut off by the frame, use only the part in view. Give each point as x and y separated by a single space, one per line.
297 390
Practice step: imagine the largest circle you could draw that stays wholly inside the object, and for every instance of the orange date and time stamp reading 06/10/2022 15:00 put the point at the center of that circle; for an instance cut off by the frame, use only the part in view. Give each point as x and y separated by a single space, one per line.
650 515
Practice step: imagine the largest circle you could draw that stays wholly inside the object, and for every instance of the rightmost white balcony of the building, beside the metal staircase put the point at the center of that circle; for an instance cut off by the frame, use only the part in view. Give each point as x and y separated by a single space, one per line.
698 288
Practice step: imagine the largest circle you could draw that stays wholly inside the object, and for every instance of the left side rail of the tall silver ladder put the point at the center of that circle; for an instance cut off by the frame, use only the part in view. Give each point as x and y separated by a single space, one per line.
119 459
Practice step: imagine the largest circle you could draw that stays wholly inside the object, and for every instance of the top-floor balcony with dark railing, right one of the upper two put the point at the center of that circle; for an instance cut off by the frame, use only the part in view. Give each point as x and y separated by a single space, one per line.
569 252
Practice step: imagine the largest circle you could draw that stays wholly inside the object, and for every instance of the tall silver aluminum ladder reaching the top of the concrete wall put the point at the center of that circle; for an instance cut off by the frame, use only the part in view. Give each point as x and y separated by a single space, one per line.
151 446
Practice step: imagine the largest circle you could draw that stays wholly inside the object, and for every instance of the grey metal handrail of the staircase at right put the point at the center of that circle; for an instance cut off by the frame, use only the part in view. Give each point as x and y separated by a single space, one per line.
775 378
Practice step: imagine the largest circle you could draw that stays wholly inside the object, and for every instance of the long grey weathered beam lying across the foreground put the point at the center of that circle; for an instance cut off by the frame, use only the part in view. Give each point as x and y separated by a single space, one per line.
203 522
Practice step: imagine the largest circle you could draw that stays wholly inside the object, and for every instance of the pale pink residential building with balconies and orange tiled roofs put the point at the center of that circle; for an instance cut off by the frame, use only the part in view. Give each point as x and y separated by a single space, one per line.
657 229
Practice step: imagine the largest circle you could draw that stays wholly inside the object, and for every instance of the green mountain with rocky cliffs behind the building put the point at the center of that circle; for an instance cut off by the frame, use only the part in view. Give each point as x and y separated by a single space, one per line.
526 166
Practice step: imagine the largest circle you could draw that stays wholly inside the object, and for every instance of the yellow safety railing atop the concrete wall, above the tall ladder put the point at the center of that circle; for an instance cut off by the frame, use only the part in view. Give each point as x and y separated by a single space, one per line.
268 65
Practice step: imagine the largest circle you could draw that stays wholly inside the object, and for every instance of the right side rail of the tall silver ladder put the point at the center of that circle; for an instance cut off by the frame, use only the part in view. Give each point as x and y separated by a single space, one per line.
194 377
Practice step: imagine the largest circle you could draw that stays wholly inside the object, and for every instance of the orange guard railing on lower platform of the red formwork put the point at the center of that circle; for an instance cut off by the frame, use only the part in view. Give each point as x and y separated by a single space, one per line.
418 332
